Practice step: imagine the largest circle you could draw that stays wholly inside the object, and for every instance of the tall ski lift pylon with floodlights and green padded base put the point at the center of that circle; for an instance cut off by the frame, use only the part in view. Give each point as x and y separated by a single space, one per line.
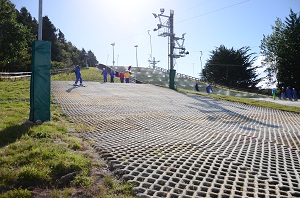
172 38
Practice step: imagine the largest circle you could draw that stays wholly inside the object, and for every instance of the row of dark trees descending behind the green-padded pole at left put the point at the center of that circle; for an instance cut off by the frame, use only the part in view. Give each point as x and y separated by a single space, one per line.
18 29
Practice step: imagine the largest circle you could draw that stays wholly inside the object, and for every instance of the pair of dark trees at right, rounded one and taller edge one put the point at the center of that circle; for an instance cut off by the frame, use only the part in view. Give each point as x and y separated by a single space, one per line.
281 53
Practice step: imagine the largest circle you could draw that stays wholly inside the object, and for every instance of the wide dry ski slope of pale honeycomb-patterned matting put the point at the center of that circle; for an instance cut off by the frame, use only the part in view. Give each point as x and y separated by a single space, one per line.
171 144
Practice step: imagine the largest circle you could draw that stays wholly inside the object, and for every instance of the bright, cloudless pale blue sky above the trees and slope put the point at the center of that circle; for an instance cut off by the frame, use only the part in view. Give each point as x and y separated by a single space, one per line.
96 24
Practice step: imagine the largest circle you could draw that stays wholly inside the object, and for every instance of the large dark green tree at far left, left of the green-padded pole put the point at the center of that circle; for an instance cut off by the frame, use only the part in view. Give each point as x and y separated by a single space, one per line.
14 38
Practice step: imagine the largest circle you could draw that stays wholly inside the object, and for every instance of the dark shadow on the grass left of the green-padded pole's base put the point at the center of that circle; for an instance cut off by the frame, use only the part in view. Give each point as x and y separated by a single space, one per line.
13 133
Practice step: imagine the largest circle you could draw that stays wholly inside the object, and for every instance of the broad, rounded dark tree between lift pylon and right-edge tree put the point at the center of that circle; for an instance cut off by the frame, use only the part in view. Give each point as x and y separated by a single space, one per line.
231 67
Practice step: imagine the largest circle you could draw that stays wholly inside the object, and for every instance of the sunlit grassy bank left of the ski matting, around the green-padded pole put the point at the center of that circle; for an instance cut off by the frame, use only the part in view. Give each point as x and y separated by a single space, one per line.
47 160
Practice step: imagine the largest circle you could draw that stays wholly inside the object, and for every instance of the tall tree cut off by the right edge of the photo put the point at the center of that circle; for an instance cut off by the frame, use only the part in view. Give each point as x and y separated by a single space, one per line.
281 50
